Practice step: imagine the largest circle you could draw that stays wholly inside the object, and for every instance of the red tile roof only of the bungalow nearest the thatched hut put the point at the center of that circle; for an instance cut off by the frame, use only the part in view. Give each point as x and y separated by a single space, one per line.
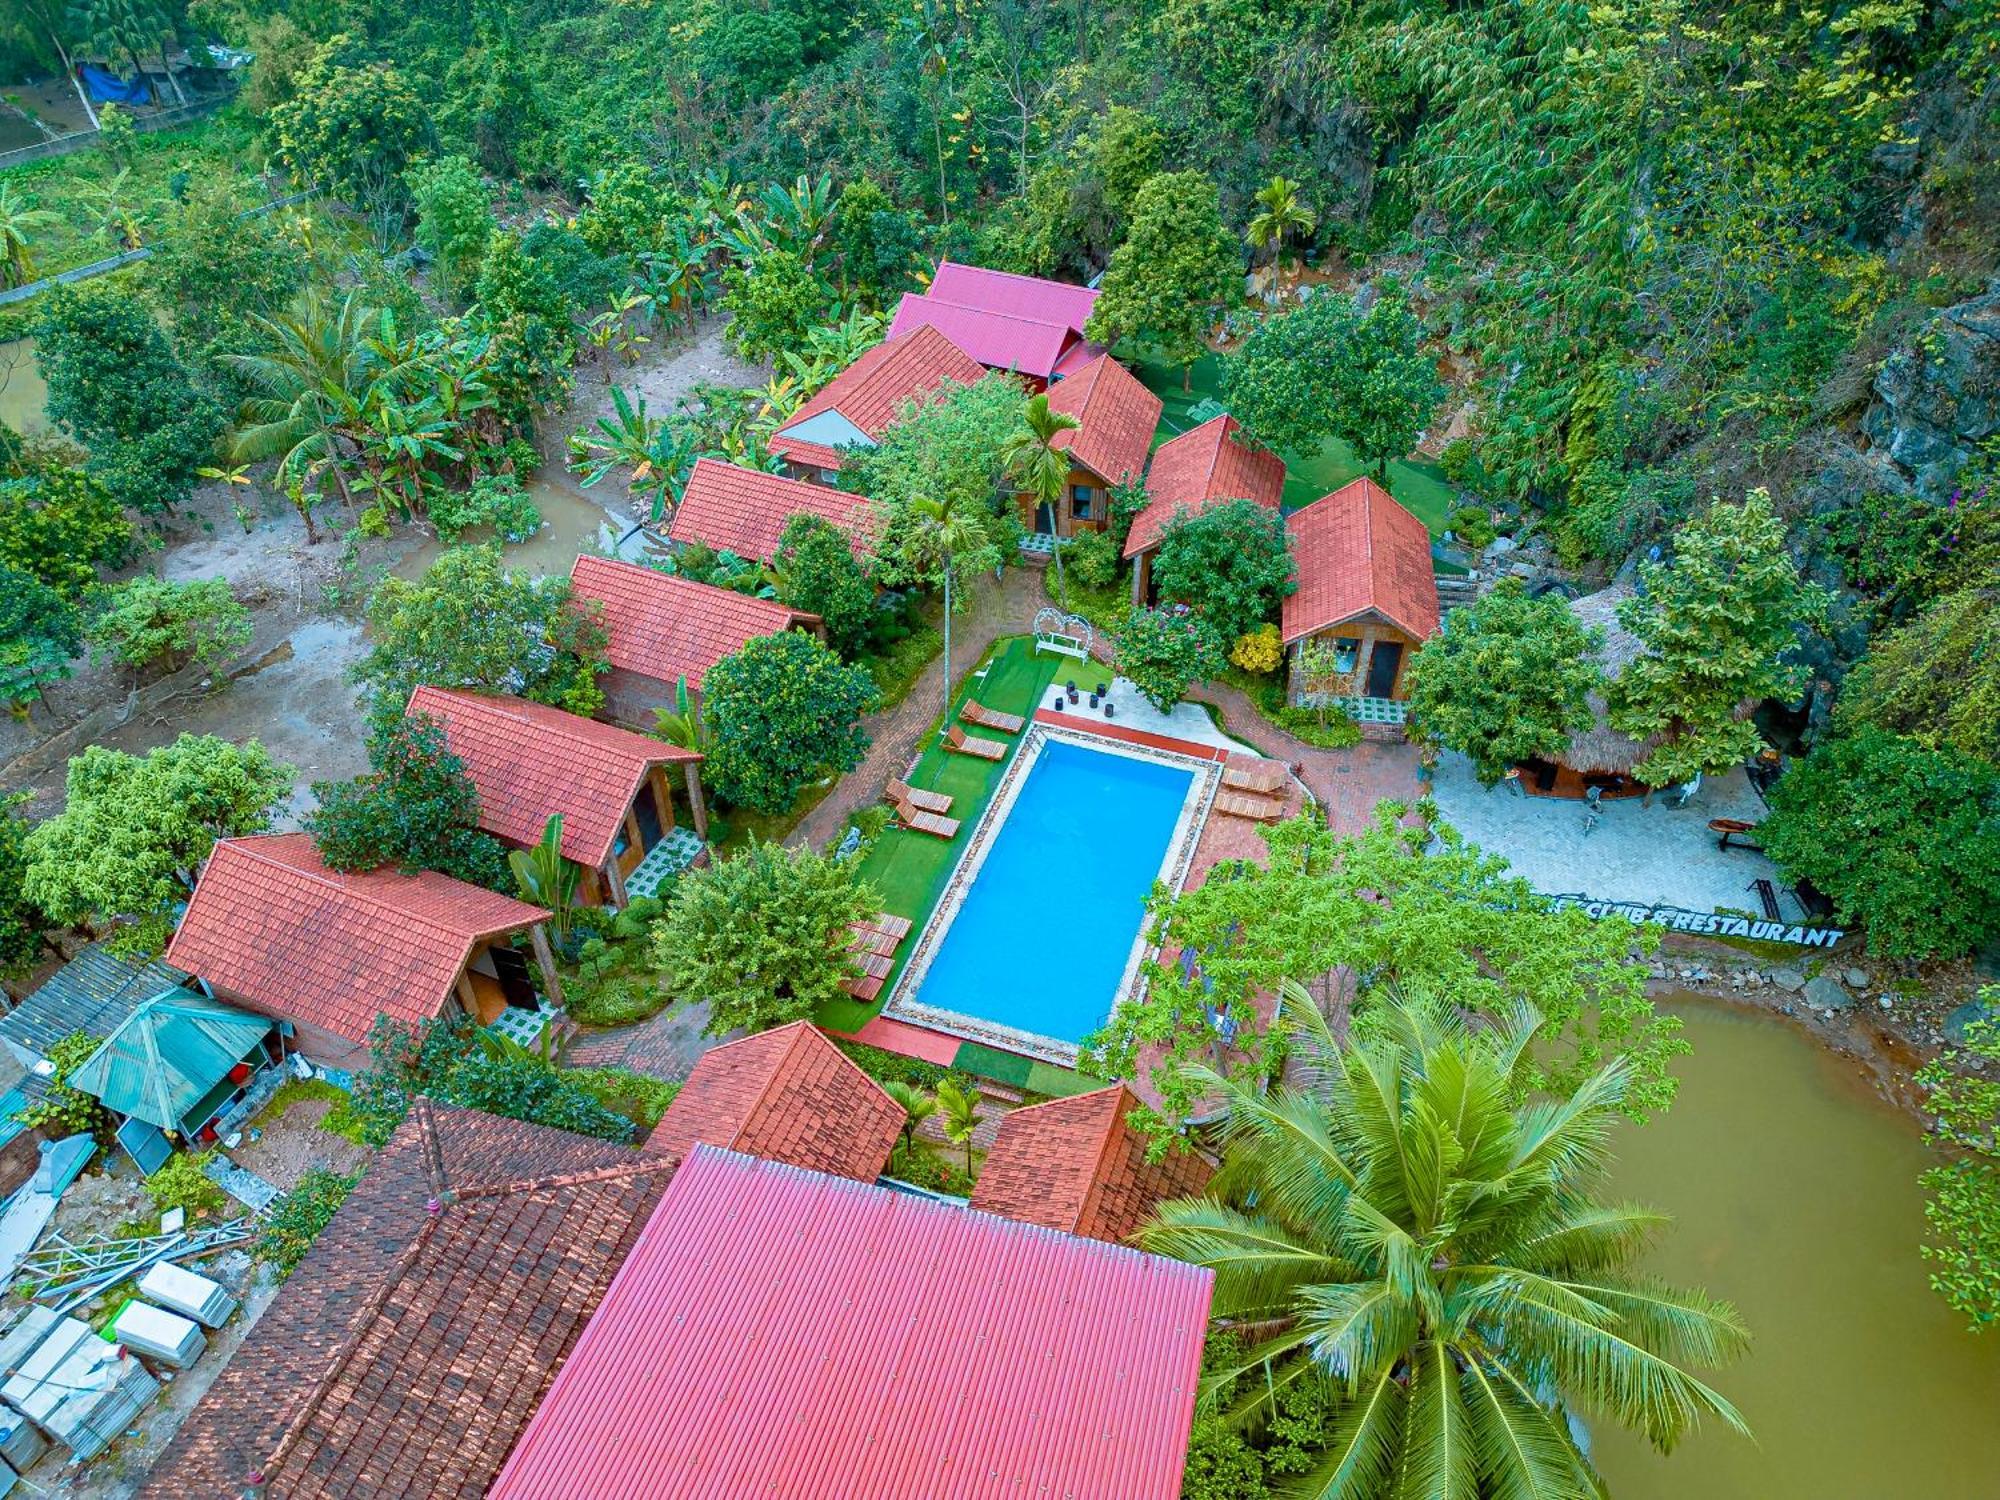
1357 553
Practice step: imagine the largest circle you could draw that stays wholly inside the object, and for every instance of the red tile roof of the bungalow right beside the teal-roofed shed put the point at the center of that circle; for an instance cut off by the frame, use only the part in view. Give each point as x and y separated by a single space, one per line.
275 927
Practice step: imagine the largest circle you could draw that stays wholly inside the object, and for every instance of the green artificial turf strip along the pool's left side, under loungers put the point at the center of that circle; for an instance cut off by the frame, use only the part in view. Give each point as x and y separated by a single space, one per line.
909 869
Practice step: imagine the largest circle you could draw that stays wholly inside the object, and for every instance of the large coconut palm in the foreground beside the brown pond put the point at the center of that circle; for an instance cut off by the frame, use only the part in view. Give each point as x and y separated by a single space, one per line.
1427 1249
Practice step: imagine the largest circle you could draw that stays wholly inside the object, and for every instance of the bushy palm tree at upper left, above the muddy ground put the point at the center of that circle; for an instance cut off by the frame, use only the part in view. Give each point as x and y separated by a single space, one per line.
317 379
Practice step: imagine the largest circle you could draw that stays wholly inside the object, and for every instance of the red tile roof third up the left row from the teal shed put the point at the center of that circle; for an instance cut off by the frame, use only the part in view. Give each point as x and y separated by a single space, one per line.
669 629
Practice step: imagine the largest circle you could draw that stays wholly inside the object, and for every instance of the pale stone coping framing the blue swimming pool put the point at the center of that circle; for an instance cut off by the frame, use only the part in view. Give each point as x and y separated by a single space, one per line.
903 1003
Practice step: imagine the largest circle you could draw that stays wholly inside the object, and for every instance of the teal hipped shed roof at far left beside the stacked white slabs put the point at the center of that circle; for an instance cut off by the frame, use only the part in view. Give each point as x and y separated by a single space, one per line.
169 1055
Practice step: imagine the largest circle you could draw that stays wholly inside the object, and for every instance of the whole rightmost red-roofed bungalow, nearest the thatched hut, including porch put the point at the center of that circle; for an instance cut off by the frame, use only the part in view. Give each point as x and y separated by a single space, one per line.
1367 589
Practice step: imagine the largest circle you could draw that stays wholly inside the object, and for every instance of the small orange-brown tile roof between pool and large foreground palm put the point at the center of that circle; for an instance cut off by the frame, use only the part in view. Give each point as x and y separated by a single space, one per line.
1075 1165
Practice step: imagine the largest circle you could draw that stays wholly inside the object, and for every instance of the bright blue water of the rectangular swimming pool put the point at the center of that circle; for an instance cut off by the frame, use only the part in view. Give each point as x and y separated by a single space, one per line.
1047 929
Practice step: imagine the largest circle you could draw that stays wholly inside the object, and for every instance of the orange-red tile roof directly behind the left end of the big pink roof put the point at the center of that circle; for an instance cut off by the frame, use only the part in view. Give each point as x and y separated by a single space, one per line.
787 1095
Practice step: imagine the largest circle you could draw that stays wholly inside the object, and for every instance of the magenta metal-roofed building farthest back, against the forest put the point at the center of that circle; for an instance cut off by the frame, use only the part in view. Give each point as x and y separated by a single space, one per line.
1023 325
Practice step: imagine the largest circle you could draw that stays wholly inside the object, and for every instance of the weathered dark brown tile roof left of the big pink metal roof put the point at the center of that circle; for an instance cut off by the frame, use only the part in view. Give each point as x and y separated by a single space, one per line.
415 1341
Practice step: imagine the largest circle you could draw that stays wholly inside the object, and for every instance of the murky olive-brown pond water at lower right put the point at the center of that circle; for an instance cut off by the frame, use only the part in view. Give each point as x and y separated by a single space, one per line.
1795 1197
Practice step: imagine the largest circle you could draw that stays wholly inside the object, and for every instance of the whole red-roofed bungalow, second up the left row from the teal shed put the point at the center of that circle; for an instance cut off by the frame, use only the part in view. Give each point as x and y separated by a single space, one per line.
609 785
